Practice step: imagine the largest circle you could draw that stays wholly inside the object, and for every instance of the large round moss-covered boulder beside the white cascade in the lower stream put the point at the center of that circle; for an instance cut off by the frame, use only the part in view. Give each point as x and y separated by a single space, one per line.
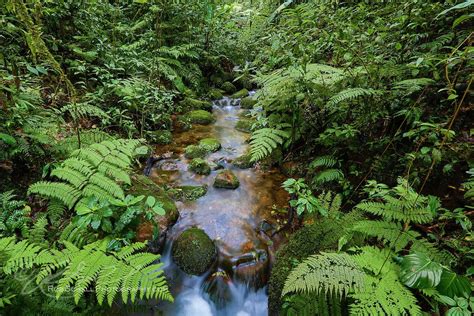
194 252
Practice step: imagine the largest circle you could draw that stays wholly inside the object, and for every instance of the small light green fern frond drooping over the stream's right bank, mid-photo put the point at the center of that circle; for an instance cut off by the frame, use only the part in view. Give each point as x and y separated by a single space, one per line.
264 141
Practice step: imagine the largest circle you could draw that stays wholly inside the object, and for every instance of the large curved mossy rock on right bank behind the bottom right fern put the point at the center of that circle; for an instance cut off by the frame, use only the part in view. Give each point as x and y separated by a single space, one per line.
309 240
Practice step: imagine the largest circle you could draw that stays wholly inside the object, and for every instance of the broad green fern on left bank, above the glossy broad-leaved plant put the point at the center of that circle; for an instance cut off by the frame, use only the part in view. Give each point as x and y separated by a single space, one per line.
90 171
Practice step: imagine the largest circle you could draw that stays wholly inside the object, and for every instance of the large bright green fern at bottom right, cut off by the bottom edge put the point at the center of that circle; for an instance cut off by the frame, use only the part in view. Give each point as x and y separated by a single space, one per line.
367 277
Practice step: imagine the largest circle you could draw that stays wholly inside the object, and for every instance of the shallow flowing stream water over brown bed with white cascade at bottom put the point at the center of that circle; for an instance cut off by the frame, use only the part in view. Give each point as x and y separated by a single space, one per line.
232 219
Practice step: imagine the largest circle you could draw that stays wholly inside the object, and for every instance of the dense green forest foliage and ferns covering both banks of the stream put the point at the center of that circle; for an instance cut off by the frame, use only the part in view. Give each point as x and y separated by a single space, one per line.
367 107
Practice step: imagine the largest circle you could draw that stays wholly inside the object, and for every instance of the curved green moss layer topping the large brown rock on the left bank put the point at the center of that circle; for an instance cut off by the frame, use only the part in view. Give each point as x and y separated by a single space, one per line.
142 185
